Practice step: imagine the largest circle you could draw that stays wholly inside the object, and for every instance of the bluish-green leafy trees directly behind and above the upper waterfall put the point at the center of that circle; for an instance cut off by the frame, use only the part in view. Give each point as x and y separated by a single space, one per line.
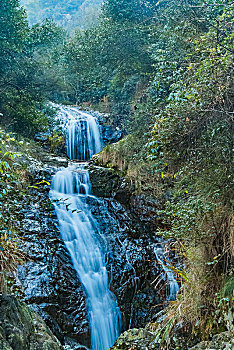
109 59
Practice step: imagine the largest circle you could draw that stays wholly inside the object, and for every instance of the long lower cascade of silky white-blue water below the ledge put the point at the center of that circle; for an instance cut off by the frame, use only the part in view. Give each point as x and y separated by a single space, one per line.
80 232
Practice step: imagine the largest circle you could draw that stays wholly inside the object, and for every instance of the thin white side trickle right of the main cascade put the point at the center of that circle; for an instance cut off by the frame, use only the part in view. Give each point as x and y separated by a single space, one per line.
172 284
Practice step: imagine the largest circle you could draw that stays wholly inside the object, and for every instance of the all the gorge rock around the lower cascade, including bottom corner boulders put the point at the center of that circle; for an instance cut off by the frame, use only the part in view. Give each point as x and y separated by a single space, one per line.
54 310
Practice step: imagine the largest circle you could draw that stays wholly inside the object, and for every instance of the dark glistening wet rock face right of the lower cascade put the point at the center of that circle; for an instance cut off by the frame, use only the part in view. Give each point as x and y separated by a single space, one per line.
130 261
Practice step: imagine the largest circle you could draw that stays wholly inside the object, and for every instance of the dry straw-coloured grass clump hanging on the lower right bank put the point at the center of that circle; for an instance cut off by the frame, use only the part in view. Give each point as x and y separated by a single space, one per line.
206 296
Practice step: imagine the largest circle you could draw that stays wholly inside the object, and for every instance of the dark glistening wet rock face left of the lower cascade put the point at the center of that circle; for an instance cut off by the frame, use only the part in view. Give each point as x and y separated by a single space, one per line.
50 284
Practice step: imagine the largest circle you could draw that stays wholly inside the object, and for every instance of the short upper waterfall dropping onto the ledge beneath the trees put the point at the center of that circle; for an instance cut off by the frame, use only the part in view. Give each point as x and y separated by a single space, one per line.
83 137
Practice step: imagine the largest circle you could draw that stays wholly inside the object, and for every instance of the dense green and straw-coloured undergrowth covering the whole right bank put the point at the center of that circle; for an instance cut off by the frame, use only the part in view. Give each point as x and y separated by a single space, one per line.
188 158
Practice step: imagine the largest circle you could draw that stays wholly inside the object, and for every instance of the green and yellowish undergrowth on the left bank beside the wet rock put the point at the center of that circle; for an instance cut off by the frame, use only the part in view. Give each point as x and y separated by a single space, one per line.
15 155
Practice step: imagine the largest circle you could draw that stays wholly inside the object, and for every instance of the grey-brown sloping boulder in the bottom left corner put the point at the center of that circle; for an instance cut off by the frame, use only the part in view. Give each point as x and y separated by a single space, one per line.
22 329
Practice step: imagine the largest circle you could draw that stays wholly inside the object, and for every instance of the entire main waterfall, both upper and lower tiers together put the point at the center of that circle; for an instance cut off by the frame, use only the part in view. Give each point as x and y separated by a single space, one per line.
69 190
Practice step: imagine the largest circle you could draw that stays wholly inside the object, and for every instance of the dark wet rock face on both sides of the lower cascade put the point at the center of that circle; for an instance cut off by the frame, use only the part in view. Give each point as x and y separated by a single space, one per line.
50 285
